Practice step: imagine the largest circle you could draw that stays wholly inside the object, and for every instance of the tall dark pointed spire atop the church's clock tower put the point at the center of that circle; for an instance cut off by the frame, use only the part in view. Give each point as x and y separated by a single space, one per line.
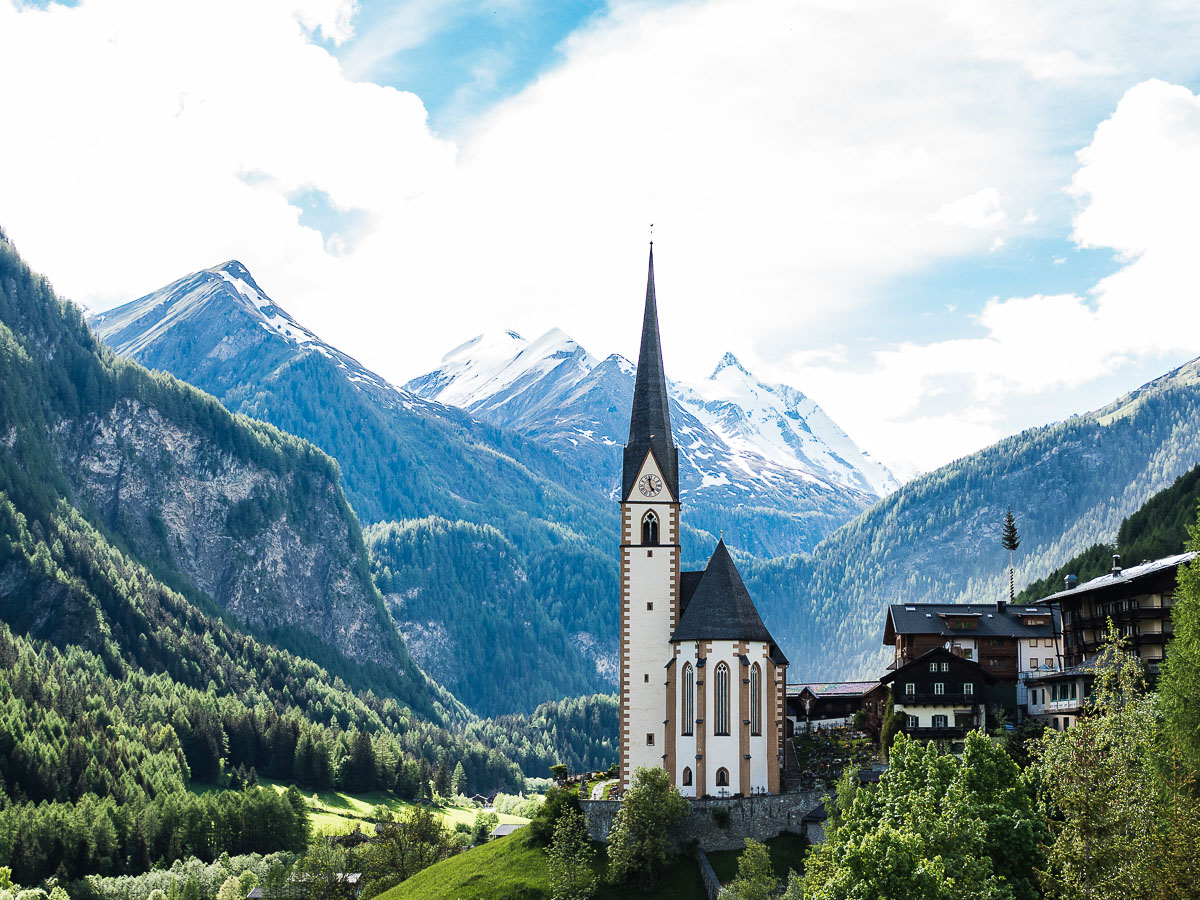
650 425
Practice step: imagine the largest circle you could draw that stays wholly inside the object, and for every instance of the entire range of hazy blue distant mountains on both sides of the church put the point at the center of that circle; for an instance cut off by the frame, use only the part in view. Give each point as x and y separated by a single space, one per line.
497 471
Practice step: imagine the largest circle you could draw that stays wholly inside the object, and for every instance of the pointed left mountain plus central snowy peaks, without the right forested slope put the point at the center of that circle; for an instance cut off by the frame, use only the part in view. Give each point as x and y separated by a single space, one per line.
494 524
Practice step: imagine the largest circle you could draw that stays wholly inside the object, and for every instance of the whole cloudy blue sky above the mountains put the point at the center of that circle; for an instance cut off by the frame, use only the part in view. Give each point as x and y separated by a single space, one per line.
944 221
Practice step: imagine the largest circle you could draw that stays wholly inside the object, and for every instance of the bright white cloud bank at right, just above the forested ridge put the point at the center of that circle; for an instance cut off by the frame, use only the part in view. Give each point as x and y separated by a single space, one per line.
1141 184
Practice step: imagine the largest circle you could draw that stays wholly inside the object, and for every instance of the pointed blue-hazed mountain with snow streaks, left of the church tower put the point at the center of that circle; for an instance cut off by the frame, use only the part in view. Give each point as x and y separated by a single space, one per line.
404 458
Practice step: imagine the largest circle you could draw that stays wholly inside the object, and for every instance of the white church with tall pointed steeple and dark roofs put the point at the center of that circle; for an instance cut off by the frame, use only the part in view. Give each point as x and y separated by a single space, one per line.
703 682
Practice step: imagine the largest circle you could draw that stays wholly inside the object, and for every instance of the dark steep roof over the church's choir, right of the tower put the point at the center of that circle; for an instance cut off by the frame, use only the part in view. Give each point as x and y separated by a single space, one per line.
721 608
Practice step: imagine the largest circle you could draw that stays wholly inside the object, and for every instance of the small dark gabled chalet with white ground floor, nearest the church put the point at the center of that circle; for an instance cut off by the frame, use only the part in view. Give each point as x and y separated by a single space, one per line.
941 695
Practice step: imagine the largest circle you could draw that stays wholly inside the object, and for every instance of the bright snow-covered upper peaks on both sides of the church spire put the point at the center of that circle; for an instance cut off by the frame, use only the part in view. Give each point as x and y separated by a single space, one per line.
736 435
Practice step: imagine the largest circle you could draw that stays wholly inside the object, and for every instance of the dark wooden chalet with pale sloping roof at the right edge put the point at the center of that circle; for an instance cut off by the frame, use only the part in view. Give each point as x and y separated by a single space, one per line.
1138 599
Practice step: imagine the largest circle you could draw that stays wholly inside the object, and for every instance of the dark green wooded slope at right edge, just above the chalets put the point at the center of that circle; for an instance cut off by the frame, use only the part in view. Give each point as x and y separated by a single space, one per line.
1156 531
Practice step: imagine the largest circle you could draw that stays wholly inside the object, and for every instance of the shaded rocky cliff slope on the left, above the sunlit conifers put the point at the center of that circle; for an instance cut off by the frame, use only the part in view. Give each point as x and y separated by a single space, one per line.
235 514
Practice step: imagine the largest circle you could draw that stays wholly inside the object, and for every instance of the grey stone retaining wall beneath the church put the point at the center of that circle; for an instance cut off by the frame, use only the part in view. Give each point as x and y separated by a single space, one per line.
721 824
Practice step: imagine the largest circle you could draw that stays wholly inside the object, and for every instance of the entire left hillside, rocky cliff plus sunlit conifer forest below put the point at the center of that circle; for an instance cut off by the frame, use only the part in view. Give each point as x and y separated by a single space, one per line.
123 679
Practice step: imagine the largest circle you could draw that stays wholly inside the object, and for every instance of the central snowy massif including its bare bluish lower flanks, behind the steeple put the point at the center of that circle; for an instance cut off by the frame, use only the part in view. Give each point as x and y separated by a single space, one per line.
763 463
